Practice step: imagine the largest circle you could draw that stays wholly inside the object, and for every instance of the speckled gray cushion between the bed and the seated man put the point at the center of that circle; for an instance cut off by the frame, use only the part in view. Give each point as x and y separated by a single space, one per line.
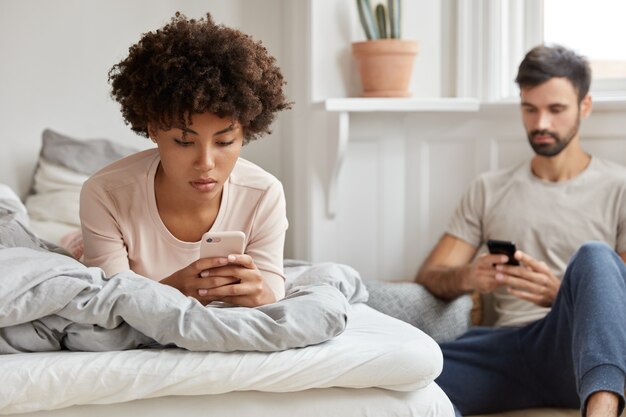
414 304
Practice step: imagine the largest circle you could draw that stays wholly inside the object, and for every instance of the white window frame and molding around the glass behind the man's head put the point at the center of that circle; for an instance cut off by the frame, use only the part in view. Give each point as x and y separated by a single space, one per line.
492 38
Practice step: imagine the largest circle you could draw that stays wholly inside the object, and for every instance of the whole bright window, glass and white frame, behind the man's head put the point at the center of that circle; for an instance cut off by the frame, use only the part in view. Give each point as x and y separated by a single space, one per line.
494 35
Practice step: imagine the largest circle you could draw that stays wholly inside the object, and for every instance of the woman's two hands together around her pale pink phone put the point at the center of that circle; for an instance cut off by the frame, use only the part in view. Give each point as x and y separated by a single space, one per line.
235 280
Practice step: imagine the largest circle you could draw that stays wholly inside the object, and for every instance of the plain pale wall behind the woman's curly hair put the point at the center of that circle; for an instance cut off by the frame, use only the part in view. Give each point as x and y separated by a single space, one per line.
56 55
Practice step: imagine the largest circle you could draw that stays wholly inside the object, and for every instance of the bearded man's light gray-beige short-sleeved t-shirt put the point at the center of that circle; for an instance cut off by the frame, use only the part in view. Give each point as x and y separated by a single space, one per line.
547 220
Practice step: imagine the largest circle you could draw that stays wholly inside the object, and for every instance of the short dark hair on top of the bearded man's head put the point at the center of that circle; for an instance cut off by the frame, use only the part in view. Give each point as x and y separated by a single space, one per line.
545 62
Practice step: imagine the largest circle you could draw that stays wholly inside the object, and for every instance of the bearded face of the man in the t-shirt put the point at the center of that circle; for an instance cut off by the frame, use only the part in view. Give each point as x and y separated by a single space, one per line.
551 115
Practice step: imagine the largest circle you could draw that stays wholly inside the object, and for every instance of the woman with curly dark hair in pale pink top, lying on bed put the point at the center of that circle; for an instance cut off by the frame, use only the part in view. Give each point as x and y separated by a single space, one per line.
199 91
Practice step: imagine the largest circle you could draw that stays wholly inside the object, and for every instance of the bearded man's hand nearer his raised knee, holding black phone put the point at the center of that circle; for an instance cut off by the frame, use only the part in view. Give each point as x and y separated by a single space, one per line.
532 281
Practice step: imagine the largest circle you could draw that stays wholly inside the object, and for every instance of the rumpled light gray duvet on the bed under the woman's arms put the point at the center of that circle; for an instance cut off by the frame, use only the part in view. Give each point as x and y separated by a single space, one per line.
49 301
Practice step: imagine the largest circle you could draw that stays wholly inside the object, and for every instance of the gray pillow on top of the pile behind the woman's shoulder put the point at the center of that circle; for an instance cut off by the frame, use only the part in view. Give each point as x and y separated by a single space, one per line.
82 156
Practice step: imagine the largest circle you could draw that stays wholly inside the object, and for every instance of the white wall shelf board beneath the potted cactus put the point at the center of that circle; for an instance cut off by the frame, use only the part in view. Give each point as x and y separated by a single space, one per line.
375 104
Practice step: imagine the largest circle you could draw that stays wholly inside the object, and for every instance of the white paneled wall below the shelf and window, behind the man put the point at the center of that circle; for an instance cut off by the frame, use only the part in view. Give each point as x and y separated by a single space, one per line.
404 174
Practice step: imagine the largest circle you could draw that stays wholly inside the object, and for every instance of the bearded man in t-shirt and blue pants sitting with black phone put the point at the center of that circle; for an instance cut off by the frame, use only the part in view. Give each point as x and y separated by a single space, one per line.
560 337
